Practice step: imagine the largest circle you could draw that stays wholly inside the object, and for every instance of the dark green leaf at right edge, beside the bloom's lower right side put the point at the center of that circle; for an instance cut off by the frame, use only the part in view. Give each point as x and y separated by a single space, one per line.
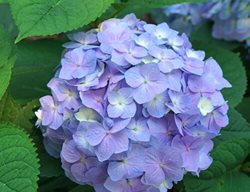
238 128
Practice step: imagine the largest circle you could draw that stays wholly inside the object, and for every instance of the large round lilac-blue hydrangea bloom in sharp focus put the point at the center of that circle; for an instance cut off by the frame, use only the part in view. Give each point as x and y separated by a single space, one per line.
133 107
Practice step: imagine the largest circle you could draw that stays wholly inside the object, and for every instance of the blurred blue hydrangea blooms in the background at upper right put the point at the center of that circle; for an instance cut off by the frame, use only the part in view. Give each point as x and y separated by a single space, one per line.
231 17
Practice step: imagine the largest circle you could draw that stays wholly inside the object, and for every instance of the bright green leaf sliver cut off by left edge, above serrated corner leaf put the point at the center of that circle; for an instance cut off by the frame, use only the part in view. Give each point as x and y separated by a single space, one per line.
7 60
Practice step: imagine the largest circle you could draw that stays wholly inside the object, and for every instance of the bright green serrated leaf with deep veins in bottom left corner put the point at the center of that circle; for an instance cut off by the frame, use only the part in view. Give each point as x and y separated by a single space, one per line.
18 161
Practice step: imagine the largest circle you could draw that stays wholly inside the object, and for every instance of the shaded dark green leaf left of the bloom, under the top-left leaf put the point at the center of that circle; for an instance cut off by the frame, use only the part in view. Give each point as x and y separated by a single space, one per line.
36 65
